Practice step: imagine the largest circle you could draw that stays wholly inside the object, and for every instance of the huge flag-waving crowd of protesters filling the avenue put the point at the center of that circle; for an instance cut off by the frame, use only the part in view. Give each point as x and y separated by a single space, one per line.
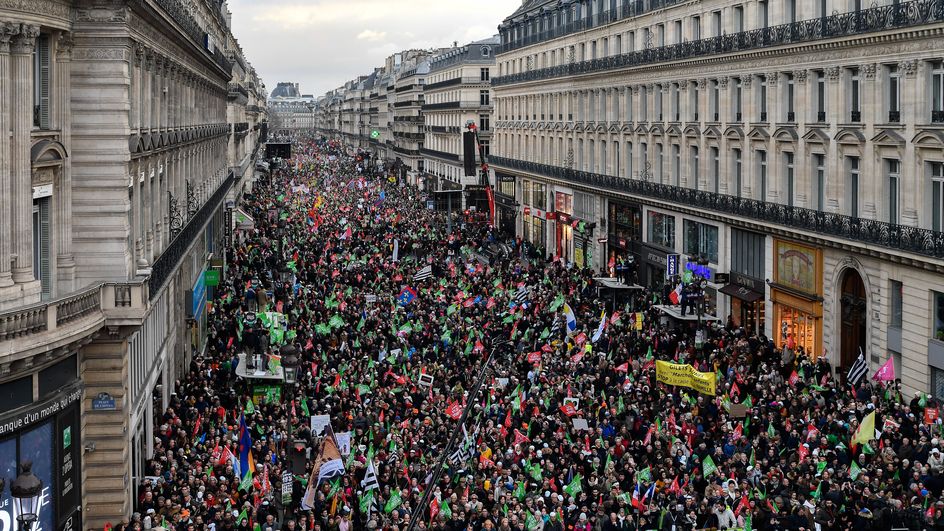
570 429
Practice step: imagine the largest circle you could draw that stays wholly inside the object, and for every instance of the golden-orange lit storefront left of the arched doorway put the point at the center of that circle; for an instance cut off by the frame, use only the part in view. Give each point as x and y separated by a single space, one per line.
797 295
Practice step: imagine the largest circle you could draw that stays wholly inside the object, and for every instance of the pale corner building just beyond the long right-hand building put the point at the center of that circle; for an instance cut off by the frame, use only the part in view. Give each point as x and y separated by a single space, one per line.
457 92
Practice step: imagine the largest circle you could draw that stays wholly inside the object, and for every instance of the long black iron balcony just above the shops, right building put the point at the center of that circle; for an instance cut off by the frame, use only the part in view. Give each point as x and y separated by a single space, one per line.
869 232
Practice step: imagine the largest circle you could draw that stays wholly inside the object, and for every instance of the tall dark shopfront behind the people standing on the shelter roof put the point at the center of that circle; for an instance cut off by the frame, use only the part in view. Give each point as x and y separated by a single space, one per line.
624 237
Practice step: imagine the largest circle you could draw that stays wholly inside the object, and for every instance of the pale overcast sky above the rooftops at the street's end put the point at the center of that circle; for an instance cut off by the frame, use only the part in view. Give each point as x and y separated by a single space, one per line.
323 43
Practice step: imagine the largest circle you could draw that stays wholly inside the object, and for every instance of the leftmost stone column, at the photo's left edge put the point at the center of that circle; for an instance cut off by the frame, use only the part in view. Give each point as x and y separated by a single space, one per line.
8 30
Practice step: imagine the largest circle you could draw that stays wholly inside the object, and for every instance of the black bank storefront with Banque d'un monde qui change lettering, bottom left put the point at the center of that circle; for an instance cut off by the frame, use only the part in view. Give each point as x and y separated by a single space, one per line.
46 433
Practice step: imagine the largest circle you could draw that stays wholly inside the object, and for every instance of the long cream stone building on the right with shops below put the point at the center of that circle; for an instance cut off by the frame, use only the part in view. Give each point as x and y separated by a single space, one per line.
794 146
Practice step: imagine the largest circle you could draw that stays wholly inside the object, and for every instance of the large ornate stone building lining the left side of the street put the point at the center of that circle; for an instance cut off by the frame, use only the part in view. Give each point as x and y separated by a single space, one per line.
130 125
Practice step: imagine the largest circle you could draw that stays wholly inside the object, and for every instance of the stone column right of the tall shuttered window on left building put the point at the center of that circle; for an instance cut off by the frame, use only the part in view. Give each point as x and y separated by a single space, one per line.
65 261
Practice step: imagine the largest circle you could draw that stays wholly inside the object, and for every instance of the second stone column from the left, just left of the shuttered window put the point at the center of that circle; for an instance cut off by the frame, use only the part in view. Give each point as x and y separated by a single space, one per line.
22 122
